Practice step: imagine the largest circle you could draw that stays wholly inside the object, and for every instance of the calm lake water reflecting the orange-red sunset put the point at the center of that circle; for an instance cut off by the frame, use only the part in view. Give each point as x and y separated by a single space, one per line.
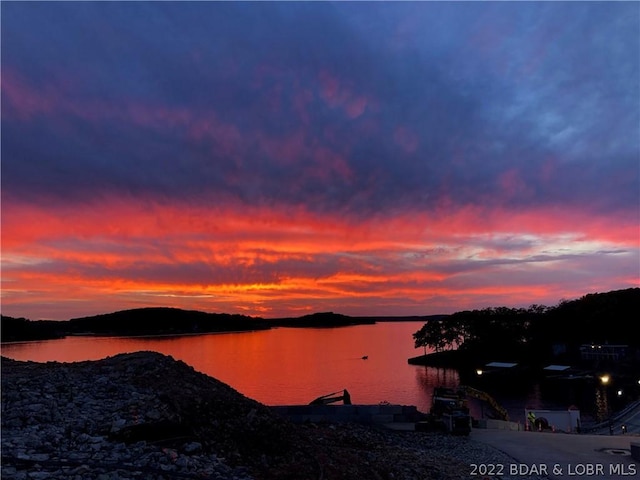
292 365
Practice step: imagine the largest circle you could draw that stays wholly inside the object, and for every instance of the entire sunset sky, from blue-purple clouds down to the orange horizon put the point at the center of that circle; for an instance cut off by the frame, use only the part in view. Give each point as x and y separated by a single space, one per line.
278 159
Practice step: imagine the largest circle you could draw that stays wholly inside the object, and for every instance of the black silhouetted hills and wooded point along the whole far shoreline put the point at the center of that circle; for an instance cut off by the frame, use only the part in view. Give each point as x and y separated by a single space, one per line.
534 331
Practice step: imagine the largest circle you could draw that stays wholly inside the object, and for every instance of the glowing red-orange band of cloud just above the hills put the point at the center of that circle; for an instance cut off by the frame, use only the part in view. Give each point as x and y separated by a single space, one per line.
275 261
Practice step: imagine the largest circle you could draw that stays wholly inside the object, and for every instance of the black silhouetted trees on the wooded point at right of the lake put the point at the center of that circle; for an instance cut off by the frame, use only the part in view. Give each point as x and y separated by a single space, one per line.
537 333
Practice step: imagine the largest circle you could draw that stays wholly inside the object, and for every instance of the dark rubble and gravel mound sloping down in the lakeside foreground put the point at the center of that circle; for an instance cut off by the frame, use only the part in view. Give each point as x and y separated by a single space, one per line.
145 415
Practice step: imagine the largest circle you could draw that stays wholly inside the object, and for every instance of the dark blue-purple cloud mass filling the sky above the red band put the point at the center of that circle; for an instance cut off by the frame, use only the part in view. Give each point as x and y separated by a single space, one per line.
349 107
